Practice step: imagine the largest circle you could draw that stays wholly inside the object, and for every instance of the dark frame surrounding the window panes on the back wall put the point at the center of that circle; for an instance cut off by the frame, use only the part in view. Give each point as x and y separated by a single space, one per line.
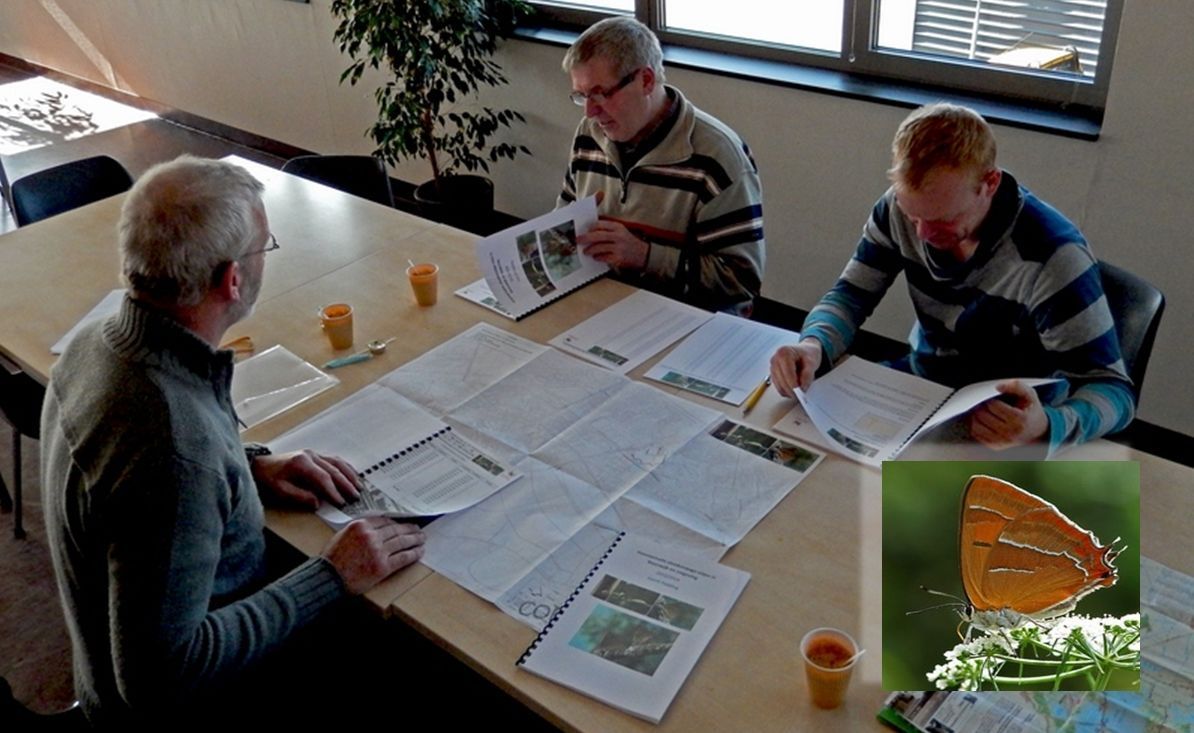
863 65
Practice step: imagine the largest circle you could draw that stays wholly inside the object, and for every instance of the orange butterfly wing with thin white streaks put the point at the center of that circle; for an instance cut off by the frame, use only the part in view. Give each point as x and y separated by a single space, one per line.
1020 553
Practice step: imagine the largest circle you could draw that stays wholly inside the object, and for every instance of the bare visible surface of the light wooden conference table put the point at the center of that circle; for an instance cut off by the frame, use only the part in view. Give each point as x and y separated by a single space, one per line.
815 560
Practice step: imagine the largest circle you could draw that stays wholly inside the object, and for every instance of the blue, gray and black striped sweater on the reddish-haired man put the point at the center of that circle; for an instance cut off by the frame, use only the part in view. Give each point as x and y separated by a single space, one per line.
1029 304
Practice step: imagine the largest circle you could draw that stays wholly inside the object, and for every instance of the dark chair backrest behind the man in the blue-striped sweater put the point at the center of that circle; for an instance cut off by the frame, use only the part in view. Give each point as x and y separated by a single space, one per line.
1136 306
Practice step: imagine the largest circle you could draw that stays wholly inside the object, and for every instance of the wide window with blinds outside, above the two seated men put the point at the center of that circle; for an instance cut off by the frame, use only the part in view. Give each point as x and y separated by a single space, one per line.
1049 53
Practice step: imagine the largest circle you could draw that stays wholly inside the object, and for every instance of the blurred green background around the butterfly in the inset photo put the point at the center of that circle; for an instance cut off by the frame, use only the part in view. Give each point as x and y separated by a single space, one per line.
921 514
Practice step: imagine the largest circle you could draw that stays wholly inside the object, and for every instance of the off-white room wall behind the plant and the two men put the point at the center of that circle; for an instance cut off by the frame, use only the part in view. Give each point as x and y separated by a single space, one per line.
270 67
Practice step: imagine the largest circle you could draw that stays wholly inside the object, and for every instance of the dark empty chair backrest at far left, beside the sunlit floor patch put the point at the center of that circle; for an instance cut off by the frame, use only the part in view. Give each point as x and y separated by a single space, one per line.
67 187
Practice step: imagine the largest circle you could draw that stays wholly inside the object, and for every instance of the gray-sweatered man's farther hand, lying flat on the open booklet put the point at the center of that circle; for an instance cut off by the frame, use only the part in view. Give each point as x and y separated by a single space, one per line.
307 477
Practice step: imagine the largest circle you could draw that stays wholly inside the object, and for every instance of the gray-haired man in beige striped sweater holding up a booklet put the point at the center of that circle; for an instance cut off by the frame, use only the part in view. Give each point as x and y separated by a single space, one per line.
680 200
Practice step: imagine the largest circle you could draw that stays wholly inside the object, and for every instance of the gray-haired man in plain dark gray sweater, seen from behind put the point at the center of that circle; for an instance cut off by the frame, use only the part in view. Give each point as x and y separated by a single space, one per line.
152 507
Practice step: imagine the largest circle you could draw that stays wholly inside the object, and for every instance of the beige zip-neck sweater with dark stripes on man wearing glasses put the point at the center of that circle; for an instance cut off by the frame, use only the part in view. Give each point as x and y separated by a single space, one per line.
696 199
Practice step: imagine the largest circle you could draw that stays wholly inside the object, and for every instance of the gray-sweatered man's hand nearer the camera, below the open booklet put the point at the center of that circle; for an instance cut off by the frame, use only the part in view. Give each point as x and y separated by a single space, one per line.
372 550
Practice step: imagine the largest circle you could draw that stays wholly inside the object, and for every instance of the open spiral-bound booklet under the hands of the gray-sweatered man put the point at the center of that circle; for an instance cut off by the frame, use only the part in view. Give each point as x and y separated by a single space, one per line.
413 464
